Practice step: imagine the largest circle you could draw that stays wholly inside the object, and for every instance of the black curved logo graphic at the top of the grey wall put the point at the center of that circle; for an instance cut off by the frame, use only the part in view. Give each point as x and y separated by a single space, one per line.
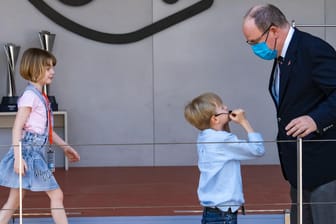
123 38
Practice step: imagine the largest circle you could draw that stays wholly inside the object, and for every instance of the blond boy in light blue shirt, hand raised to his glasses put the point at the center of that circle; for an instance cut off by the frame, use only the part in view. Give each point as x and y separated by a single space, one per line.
219 154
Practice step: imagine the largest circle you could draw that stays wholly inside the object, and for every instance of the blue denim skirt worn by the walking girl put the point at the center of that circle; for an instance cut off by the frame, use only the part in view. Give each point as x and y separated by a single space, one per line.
37 177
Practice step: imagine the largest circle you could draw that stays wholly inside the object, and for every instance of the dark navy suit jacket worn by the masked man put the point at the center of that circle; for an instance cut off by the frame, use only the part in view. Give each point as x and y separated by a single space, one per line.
308 87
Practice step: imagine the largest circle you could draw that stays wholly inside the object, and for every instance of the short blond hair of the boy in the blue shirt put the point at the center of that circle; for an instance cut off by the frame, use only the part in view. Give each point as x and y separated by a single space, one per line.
200 110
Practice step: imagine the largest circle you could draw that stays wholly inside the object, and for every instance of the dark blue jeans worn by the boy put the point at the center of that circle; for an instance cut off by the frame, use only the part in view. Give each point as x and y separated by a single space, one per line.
216 216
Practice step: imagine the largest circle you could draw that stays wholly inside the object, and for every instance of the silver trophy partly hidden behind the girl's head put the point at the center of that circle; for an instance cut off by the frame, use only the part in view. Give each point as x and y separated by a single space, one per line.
47 43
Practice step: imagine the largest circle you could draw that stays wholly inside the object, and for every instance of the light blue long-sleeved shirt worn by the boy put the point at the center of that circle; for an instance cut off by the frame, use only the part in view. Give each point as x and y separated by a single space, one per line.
219 156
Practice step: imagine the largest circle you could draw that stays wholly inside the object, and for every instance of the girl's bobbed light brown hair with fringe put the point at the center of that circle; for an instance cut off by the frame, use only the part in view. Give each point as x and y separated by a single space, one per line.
34 62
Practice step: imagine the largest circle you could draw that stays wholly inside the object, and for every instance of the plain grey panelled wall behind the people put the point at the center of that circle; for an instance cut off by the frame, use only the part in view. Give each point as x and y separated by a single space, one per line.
122 98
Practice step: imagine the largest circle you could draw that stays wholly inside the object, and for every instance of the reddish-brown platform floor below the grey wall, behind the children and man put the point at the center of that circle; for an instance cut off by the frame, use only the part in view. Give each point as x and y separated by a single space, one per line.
128 191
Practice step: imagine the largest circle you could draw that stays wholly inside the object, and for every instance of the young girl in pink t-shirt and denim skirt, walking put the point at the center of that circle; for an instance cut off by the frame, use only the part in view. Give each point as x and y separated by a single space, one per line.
33 127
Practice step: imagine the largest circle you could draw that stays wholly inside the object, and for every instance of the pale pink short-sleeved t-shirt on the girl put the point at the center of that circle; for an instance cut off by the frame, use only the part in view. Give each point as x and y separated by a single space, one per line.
37 120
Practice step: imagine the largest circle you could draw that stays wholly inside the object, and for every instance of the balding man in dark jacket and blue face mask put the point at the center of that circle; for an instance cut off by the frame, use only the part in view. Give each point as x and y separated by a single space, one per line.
303 88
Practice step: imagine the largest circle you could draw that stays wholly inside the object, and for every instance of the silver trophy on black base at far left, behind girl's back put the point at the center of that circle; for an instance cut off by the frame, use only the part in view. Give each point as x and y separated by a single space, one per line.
9 102
